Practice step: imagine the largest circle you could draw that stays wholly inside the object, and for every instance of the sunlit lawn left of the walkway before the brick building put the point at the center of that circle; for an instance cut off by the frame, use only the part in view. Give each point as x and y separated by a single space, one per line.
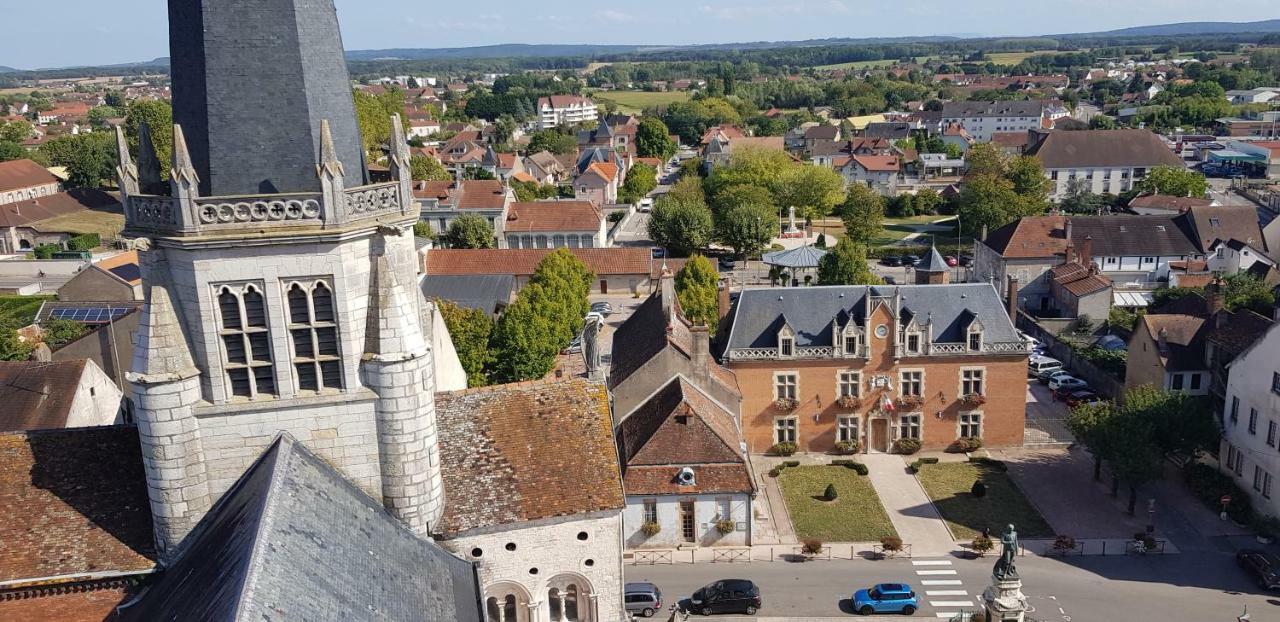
856 516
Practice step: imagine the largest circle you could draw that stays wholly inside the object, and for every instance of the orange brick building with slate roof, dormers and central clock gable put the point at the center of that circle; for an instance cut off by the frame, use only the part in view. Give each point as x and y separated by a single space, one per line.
877 364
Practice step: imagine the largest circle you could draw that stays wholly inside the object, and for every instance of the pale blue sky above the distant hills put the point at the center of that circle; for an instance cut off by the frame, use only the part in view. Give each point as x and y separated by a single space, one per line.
80 33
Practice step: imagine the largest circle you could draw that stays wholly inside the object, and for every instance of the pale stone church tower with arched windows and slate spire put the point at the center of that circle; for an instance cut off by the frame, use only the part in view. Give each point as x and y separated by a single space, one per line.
280 282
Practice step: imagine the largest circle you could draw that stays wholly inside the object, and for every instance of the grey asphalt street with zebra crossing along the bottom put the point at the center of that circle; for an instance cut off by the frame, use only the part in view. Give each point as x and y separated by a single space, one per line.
1201 588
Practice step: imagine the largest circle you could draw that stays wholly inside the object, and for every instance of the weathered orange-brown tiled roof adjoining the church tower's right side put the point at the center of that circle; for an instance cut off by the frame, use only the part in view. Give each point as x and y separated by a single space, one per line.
525 452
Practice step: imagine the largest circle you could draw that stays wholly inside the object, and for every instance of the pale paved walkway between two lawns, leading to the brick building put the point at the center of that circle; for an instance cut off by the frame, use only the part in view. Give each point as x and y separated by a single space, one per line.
909 509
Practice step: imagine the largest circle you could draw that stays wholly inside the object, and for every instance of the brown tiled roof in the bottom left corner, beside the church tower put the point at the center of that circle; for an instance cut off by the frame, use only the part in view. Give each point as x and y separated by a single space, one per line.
84 493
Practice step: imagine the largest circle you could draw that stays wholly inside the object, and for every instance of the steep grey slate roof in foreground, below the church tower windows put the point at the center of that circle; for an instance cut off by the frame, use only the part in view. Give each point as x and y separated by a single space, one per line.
294 541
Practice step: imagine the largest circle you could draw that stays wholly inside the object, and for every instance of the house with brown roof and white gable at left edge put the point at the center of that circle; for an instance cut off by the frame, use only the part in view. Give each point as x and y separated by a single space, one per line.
57 395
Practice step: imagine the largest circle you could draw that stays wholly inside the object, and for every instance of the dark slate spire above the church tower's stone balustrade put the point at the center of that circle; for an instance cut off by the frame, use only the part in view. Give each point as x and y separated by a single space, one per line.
252 83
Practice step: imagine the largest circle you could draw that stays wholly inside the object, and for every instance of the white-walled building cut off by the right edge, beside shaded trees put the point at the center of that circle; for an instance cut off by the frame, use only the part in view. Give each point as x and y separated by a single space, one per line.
1251 423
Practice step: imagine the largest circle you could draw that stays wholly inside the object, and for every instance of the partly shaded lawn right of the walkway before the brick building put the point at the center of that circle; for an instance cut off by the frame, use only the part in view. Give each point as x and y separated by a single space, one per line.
949 484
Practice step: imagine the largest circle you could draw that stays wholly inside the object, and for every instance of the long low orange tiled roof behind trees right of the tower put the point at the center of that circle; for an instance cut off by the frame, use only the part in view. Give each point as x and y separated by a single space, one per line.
632 269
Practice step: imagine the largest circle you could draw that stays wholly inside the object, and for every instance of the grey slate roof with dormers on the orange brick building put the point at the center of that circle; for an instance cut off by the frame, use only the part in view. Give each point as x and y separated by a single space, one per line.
812 310
